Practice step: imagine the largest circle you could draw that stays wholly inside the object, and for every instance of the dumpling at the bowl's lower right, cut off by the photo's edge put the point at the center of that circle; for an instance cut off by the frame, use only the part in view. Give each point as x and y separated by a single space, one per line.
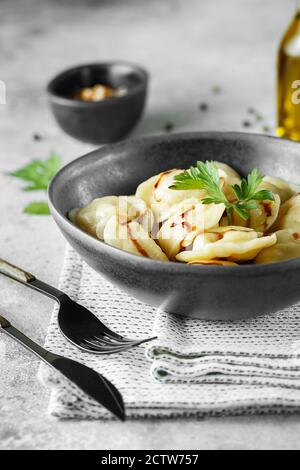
286 247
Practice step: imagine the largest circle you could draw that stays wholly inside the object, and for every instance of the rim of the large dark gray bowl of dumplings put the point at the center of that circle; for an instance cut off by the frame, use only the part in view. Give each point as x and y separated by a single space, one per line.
163 266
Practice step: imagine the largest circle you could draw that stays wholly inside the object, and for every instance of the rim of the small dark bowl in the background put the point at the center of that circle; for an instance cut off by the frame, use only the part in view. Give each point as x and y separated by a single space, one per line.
142 72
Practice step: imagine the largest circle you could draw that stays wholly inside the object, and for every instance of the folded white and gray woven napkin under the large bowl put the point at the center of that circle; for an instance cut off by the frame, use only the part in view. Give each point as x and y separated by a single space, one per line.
194 368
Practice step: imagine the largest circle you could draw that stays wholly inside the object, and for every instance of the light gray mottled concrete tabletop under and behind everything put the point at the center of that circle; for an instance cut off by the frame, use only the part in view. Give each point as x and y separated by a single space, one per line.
188 47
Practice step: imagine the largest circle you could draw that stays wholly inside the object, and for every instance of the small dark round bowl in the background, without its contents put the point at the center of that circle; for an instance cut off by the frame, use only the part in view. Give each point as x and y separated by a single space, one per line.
104 121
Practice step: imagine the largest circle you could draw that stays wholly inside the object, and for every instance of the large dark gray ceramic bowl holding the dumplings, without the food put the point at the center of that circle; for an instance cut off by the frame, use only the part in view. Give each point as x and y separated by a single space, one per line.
206 292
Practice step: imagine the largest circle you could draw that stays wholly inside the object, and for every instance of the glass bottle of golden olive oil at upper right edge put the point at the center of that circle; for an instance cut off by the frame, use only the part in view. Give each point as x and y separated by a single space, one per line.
288 92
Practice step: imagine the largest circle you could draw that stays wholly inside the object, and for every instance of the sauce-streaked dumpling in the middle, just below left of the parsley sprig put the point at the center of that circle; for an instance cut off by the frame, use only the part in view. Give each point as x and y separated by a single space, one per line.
180 230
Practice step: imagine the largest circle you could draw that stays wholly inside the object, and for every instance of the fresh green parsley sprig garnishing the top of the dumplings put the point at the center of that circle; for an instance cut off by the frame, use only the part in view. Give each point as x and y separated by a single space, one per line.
205 176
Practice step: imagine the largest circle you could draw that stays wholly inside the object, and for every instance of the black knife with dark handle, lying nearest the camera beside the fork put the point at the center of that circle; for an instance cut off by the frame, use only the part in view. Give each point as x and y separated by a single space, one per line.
89 381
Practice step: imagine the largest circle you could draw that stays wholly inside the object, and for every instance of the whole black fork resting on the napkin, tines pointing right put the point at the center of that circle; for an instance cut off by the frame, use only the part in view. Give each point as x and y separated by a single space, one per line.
80 326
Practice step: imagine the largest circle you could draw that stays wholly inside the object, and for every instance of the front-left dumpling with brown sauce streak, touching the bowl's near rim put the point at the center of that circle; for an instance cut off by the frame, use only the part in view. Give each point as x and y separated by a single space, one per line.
132 237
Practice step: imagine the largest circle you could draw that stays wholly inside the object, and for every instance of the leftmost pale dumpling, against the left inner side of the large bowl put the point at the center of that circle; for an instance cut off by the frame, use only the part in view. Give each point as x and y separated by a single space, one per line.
95 215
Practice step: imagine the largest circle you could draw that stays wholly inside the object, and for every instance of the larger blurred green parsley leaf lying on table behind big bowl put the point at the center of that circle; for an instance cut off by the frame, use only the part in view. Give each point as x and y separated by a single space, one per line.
38 173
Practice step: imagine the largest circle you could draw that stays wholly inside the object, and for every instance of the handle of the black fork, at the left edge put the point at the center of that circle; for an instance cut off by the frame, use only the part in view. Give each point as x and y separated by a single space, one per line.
28 279
